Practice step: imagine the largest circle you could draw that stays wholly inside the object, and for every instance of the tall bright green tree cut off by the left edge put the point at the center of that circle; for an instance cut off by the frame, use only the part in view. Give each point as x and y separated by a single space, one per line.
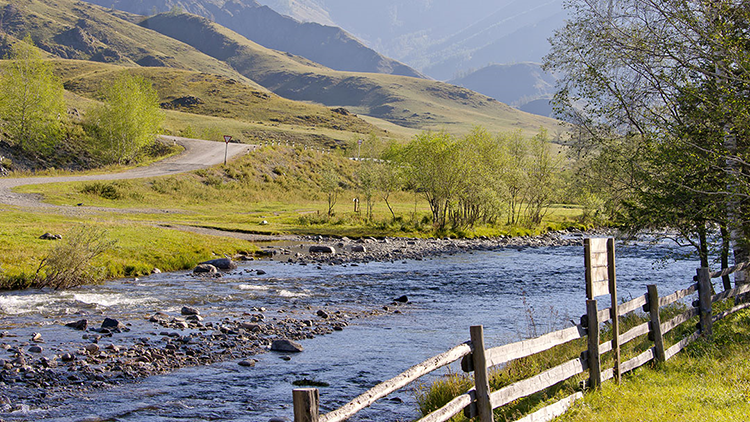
32 107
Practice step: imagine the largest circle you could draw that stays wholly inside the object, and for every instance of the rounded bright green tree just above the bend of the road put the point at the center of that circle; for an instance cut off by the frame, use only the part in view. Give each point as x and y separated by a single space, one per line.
129 118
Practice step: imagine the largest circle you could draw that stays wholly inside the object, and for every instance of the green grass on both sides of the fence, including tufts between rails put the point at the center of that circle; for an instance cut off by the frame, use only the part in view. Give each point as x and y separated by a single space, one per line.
709 380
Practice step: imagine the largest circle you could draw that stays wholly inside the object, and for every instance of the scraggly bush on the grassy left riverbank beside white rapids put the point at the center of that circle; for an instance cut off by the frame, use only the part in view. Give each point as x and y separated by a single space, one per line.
70 262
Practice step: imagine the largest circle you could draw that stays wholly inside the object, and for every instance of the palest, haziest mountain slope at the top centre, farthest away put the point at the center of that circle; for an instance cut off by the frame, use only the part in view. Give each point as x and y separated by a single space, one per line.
441 37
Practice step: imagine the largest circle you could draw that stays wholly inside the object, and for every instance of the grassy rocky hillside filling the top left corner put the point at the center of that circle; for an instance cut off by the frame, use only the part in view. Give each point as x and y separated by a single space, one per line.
75 30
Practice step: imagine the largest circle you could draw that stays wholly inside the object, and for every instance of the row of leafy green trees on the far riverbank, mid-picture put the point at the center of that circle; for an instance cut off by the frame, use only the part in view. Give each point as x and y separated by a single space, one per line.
474 179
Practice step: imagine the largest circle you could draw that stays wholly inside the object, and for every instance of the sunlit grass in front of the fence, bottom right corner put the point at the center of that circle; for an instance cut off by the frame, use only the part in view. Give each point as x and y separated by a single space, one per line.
708 381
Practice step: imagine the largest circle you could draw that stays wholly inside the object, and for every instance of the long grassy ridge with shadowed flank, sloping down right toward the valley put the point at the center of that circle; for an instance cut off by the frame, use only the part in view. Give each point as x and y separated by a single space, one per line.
409 102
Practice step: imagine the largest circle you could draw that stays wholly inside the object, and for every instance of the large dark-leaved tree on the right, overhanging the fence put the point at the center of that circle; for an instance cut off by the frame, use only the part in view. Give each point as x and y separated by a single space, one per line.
663 83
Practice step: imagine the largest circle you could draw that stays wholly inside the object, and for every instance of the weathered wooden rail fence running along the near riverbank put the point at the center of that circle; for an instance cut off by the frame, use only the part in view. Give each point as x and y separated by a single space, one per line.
479 402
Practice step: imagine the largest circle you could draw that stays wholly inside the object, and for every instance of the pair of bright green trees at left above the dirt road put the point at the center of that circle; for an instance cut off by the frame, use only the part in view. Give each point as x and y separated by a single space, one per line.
34 118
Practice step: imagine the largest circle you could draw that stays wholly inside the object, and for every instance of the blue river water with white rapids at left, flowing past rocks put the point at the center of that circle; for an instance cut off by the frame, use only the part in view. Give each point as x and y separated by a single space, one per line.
513 293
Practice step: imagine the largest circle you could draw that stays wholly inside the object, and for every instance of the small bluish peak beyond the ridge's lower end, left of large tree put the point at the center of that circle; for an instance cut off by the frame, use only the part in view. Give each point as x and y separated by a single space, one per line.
523 85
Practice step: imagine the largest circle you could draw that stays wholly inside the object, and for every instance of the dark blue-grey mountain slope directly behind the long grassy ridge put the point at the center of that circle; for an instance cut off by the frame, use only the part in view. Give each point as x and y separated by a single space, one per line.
327 45
